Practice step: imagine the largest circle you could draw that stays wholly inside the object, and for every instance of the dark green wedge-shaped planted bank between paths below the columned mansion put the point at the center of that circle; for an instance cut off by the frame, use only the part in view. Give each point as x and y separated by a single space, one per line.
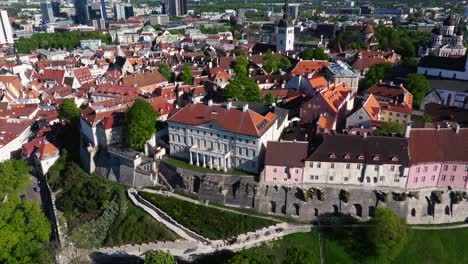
207 221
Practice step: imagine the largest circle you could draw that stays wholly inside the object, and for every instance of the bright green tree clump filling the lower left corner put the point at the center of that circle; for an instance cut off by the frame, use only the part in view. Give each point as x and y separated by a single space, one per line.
24 229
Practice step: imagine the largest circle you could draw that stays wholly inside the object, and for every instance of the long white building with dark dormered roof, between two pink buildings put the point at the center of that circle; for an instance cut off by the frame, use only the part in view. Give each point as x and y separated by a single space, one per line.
360 161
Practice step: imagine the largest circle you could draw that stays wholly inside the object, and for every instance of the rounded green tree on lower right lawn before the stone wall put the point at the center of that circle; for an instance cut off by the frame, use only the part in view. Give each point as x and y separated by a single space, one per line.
387 234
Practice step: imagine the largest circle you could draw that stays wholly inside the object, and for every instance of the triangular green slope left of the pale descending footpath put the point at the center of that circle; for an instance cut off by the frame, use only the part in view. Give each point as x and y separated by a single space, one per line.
135 226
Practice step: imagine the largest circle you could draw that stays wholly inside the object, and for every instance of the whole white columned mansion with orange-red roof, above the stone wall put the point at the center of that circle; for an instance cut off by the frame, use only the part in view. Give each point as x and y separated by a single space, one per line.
221 137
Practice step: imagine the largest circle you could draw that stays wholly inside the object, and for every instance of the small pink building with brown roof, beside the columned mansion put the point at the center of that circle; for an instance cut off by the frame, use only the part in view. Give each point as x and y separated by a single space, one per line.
284 161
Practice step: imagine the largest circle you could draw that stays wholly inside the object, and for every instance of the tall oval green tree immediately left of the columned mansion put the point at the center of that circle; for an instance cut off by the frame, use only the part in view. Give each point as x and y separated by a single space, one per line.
139 124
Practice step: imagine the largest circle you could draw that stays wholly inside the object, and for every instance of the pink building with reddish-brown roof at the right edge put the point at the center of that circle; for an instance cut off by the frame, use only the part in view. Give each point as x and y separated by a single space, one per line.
439 158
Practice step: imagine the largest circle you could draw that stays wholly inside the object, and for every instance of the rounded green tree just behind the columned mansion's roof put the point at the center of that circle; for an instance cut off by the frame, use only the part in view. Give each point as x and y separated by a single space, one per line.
243 89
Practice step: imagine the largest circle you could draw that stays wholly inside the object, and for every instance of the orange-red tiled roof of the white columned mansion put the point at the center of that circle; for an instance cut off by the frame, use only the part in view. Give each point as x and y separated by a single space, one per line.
233 120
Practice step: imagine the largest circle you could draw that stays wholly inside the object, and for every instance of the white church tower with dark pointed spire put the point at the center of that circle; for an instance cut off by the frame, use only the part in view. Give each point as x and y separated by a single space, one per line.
285 31
